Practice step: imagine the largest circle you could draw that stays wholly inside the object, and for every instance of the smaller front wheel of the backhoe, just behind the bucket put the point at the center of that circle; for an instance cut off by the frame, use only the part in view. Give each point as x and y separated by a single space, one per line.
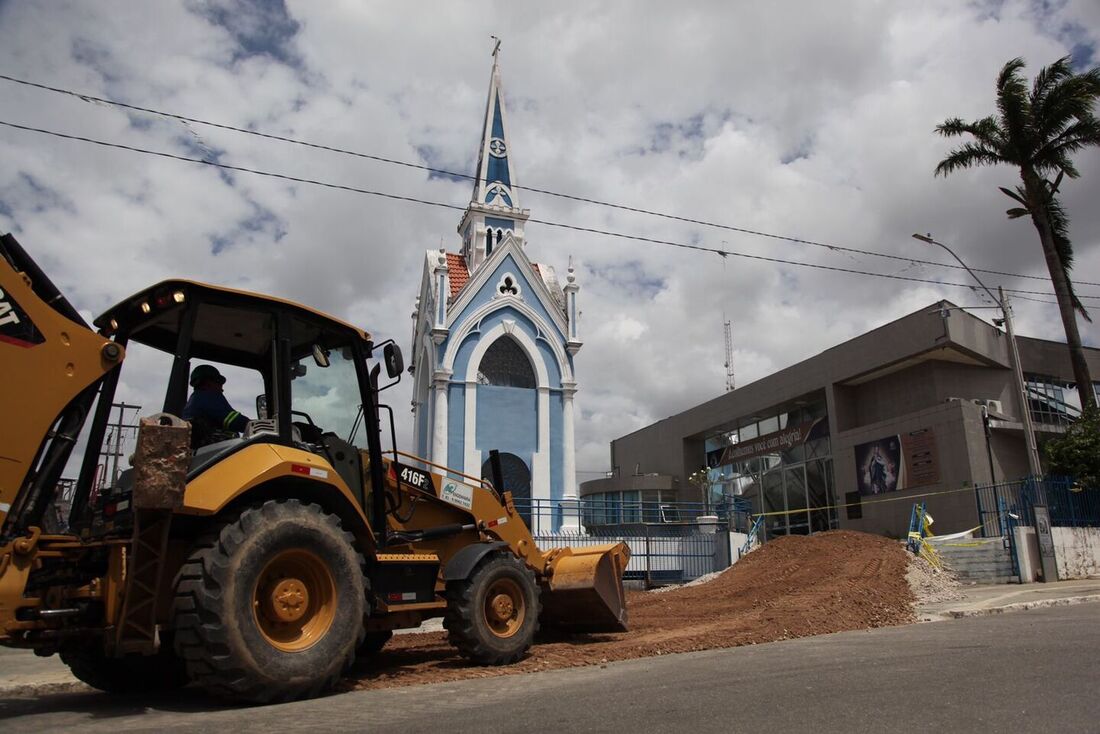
493 616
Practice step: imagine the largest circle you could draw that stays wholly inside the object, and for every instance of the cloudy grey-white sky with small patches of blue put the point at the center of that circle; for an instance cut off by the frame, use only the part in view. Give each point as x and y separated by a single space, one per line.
810 120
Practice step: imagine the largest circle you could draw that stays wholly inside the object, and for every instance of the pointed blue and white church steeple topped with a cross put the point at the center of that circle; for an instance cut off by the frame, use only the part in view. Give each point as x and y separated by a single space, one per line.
494 210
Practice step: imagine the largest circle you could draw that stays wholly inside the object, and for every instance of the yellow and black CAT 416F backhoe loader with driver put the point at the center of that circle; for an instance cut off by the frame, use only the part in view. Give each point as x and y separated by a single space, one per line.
261 565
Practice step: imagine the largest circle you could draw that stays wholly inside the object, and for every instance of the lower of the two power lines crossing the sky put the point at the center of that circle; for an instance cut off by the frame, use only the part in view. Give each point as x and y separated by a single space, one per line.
577 228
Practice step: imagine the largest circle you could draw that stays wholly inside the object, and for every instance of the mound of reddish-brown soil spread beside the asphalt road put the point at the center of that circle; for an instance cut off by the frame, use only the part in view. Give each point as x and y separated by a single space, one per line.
794 587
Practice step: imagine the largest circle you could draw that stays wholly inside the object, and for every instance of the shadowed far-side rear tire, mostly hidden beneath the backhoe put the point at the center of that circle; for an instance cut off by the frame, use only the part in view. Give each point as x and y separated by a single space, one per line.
133 674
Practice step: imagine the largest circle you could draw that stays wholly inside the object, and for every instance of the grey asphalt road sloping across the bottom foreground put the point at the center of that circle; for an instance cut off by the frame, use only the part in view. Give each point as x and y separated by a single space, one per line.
1026 672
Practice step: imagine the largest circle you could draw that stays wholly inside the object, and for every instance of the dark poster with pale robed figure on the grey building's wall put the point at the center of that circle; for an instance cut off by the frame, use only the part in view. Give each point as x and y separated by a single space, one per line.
898 463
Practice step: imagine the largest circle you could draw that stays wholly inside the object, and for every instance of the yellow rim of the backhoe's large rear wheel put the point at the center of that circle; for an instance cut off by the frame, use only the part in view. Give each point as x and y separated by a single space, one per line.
295 600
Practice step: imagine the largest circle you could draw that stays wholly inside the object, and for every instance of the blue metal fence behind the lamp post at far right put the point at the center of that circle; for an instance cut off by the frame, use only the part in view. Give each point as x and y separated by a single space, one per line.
1008 505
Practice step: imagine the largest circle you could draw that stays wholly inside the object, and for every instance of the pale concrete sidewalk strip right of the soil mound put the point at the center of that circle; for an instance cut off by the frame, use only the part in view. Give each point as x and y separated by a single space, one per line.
999 598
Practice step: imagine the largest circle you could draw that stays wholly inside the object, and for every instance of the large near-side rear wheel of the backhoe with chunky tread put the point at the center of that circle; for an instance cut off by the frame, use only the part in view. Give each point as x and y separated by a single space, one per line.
271 608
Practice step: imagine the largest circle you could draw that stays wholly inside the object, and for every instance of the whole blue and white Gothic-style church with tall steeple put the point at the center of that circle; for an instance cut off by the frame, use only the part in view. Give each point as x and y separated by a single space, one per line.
494 343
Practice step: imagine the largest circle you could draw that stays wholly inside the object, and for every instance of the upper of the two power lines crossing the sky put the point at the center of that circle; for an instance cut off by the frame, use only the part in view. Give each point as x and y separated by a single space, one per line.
571 198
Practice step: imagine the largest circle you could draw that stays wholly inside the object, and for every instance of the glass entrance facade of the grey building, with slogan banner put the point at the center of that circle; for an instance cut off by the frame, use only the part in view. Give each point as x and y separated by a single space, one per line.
783 464
